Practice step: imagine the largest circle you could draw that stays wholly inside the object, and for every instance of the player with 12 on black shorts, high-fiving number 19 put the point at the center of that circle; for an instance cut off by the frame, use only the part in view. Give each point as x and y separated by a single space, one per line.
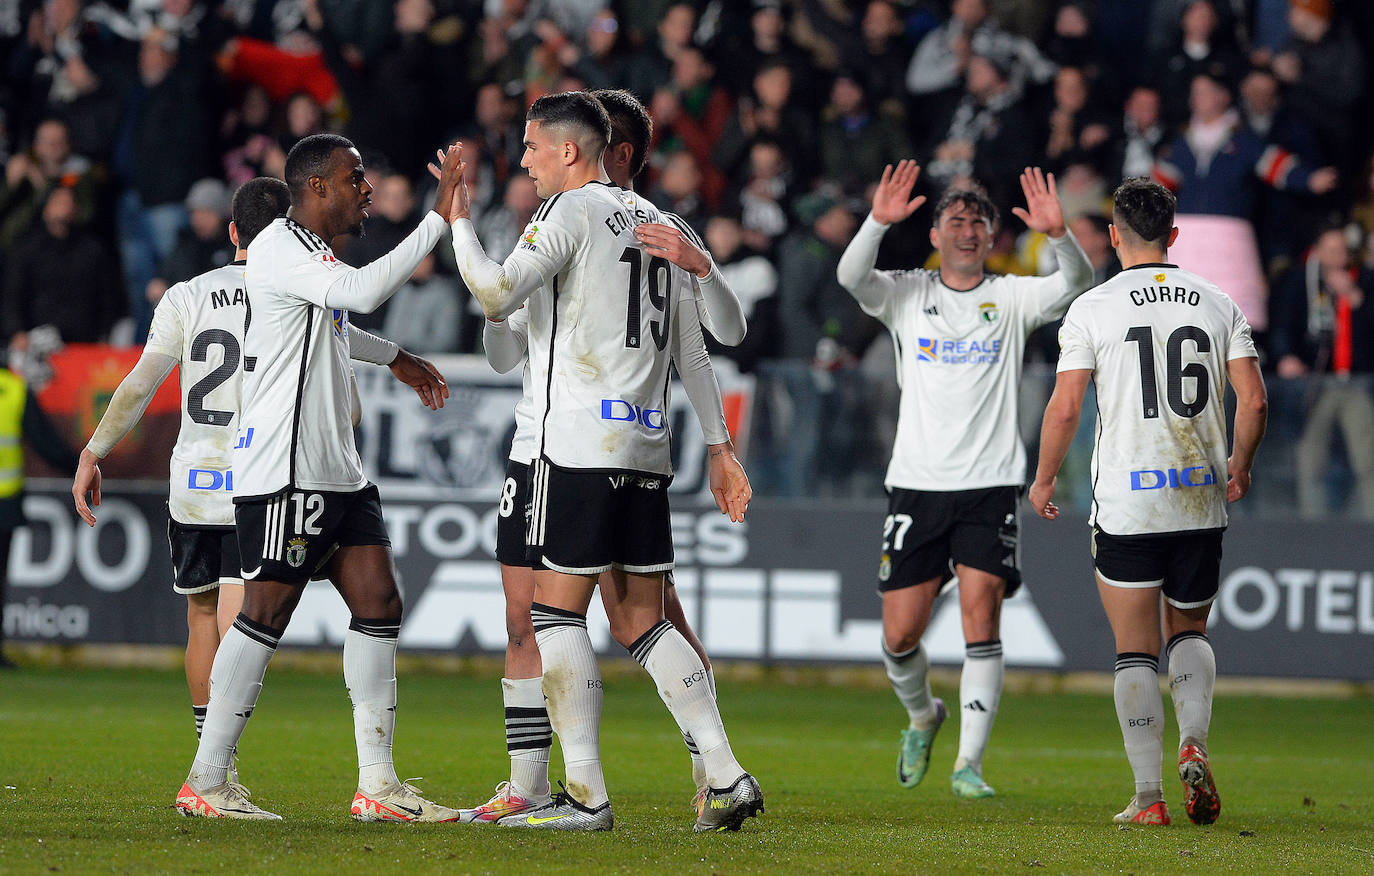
303 505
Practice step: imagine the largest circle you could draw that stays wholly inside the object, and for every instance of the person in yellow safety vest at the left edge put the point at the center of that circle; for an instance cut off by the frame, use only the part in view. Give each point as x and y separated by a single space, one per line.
21 418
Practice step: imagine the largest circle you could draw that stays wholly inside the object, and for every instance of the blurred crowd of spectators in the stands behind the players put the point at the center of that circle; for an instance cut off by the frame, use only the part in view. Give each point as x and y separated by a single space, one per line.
127 124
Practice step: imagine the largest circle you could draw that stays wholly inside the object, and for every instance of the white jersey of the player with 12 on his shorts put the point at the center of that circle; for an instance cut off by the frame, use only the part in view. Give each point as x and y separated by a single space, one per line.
296 425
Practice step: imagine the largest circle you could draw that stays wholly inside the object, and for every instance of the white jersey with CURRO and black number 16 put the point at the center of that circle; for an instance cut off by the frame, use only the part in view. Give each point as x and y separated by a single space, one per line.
1158 341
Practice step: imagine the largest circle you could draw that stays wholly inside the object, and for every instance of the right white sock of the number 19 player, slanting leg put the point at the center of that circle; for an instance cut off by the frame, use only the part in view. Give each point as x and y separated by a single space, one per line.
685 689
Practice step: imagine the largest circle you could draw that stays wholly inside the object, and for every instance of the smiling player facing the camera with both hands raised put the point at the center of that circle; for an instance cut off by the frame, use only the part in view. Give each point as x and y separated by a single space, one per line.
957 465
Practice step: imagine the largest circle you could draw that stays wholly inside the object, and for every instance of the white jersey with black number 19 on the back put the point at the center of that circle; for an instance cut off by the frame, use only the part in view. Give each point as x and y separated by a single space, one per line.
600 332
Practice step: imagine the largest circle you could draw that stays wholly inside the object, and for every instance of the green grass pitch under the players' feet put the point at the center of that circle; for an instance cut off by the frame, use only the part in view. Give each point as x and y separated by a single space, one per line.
95 757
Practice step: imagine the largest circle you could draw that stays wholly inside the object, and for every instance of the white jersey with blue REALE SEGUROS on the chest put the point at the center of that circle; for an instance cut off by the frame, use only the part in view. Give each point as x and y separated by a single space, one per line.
960 367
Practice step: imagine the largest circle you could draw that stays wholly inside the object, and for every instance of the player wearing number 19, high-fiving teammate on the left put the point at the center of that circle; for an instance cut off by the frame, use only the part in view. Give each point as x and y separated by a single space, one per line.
600 367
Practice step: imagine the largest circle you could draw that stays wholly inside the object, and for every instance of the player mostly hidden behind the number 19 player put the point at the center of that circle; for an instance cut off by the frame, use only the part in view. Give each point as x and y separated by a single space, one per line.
506 345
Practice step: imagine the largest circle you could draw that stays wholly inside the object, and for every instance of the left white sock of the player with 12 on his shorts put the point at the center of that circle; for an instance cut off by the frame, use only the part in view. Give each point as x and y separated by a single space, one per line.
236 683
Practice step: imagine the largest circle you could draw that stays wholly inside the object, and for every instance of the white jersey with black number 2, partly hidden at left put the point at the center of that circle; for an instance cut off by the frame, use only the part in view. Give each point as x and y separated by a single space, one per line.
201 325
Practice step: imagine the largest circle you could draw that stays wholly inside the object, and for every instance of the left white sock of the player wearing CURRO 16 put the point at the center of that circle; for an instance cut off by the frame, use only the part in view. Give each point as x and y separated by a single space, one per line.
1141 715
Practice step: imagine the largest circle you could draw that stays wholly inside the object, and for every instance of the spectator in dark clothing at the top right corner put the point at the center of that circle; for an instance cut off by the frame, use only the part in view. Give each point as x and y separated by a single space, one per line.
1324 69
